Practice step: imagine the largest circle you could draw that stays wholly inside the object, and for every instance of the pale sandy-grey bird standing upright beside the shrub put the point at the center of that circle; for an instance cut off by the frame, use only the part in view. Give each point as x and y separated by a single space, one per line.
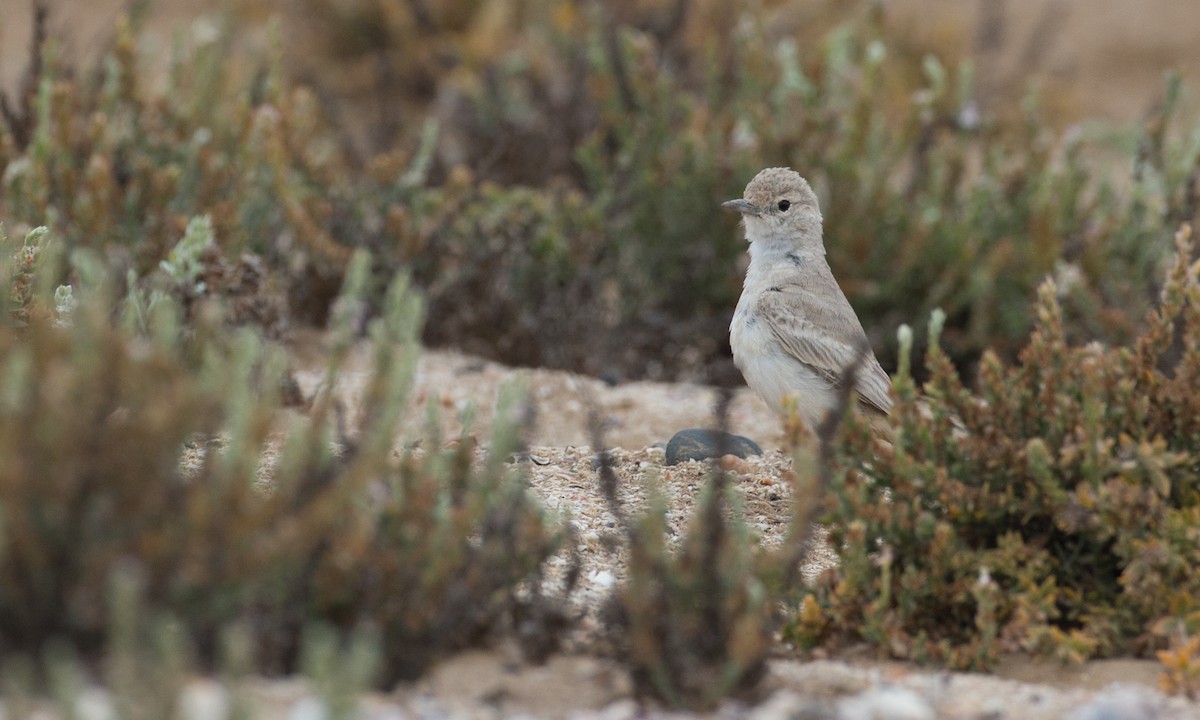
794 333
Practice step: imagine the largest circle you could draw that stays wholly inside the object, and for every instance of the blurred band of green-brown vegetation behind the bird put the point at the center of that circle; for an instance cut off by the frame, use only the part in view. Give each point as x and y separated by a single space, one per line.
547 170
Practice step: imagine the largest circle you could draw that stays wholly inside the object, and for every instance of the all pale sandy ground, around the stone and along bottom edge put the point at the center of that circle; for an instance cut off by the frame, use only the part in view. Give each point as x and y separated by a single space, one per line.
494 683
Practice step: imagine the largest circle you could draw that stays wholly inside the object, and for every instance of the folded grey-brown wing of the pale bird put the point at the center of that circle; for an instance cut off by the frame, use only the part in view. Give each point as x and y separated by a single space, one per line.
826 338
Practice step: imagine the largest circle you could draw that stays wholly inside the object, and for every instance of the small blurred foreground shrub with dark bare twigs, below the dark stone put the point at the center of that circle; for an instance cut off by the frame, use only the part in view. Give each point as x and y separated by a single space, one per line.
697 621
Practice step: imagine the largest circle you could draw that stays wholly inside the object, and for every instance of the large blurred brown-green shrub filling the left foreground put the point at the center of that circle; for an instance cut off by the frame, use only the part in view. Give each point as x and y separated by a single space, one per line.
163 452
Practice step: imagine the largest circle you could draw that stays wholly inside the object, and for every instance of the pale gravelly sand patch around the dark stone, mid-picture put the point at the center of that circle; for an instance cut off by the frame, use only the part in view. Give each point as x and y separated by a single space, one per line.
640 418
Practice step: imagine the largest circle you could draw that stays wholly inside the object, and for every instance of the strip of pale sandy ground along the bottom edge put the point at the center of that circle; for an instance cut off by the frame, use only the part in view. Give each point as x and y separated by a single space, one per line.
490 686
